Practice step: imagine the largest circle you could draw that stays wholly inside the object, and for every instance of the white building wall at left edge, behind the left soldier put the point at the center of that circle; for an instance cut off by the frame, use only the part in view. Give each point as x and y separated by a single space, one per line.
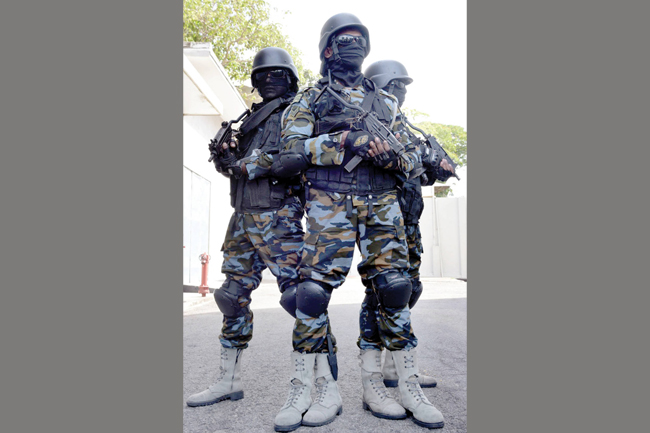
208 99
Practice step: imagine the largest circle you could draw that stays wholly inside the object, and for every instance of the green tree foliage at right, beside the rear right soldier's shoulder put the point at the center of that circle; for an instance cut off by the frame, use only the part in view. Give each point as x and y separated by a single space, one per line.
451 137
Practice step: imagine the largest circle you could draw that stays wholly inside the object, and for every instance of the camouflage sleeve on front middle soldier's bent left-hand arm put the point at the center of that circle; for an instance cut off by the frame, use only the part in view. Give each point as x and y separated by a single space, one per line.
298 129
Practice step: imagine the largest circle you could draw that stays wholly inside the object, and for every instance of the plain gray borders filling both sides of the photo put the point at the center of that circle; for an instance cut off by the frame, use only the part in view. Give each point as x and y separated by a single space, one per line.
91 315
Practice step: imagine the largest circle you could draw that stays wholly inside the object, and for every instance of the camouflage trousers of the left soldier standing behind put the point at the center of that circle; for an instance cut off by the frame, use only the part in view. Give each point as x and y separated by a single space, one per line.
254 242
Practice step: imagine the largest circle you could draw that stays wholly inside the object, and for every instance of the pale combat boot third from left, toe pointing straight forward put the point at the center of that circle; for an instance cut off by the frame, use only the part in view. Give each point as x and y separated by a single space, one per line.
327 404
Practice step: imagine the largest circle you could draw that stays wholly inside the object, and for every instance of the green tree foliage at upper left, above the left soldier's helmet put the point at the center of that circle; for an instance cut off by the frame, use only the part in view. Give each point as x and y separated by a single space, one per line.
238 29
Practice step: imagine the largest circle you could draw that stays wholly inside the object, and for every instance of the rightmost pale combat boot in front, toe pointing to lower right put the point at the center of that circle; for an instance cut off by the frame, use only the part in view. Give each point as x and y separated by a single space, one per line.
411 395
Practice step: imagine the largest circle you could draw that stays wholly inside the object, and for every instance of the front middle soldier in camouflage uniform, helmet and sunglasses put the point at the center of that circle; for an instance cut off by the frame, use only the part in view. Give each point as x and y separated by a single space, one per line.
346 206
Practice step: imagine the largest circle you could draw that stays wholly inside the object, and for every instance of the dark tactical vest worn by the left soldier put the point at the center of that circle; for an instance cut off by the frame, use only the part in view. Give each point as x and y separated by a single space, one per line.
264 193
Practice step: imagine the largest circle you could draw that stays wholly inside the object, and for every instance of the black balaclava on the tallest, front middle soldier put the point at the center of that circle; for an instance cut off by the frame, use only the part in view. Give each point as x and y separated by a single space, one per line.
345 63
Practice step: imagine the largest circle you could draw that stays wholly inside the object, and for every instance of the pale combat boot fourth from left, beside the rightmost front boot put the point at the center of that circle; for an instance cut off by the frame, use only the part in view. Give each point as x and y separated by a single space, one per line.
375 395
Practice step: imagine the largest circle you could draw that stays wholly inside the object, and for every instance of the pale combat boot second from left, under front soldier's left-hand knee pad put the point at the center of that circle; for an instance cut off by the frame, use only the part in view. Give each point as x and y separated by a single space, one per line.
290 416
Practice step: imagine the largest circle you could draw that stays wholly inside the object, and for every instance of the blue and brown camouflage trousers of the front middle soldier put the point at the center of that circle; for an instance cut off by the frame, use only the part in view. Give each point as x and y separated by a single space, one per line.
335 223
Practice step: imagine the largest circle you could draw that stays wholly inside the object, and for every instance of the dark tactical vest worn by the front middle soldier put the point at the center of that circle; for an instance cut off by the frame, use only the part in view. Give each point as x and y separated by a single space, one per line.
330 116
